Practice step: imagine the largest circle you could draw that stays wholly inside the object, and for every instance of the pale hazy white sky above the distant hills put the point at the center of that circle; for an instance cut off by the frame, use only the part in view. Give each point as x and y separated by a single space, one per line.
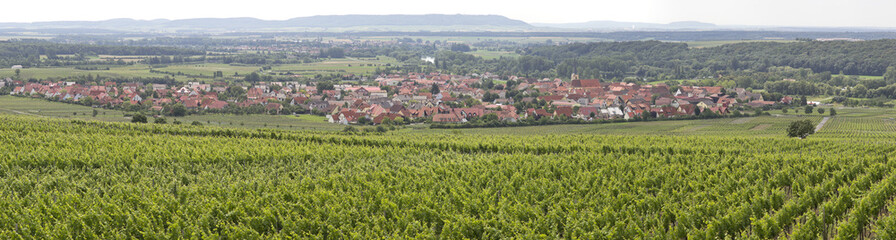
872 13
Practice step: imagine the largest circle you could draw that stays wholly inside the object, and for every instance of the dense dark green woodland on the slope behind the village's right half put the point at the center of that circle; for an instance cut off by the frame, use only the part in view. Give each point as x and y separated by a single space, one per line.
657 60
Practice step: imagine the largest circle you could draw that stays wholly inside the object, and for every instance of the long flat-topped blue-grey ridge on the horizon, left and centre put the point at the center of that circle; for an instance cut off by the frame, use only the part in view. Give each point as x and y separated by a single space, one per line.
363 22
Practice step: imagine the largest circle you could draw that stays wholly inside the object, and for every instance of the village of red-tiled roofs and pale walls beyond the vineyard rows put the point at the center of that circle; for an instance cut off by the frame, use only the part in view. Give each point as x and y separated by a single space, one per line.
414 97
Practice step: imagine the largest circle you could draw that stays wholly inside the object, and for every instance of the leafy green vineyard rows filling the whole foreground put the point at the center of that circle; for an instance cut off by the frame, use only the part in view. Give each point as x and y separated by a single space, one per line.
71 178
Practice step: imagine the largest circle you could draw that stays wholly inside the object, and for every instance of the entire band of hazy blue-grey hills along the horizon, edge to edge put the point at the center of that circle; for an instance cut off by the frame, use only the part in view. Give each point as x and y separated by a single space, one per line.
386 23
